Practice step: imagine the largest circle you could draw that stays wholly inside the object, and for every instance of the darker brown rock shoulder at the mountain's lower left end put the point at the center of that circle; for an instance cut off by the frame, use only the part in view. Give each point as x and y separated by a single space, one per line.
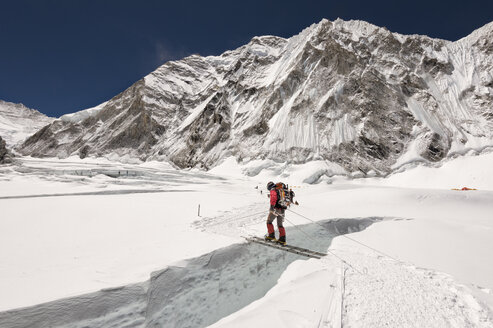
123 126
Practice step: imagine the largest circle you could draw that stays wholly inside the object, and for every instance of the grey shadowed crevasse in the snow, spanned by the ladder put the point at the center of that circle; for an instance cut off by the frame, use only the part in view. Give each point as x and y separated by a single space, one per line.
190 293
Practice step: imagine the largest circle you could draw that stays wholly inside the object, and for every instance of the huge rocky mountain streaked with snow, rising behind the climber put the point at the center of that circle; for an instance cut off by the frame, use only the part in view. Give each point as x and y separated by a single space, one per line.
348 92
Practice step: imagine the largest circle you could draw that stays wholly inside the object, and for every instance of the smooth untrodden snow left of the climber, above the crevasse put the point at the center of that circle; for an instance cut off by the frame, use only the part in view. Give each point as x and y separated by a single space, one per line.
70 249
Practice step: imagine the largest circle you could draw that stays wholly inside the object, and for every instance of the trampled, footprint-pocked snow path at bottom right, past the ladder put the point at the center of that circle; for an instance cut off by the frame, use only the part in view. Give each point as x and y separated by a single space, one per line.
397 294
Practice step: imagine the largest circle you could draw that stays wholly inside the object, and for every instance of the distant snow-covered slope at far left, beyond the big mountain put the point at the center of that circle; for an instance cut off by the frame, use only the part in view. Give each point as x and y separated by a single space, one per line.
17 122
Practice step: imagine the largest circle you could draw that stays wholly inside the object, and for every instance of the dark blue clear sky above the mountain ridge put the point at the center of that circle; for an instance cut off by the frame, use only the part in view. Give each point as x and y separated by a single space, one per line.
64 56
